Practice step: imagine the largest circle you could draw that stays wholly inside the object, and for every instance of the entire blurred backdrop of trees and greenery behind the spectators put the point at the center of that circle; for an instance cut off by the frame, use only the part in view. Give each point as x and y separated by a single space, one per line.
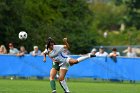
86 23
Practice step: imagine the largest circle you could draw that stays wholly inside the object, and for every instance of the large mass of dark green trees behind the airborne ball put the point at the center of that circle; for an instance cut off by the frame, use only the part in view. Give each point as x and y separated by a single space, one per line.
44 18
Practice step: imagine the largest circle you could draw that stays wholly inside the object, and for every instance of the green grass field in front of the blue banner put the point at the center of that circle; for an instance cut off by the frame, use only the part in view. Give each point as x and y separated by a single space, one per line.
42 86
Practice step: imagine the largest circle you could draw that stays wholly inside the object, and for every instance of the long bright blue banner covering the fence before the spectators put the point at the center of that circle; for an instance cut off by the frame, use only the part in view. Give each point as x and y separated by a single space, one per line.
98 67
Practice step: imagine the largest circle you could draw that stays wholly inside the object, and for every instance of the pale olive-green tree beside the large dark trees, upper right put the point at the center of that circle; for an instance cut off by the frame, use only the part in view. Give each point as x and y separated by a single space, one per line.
107 15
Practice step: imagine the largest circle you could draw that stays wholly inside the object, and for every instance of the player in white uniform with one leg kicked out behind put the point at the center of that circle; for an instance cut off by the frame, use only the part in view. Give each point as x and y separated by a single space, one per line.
55 52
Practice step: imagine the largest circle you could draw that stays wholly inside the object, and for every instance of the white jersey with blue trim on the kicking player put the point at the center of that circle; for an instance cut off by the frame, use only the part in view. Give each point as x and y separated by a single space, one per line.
57 53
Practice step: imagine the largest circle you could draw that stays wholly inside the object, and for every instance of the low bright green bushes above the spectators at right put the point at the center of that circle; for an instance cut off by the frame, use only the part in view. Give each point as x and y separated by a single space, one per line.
127 37
